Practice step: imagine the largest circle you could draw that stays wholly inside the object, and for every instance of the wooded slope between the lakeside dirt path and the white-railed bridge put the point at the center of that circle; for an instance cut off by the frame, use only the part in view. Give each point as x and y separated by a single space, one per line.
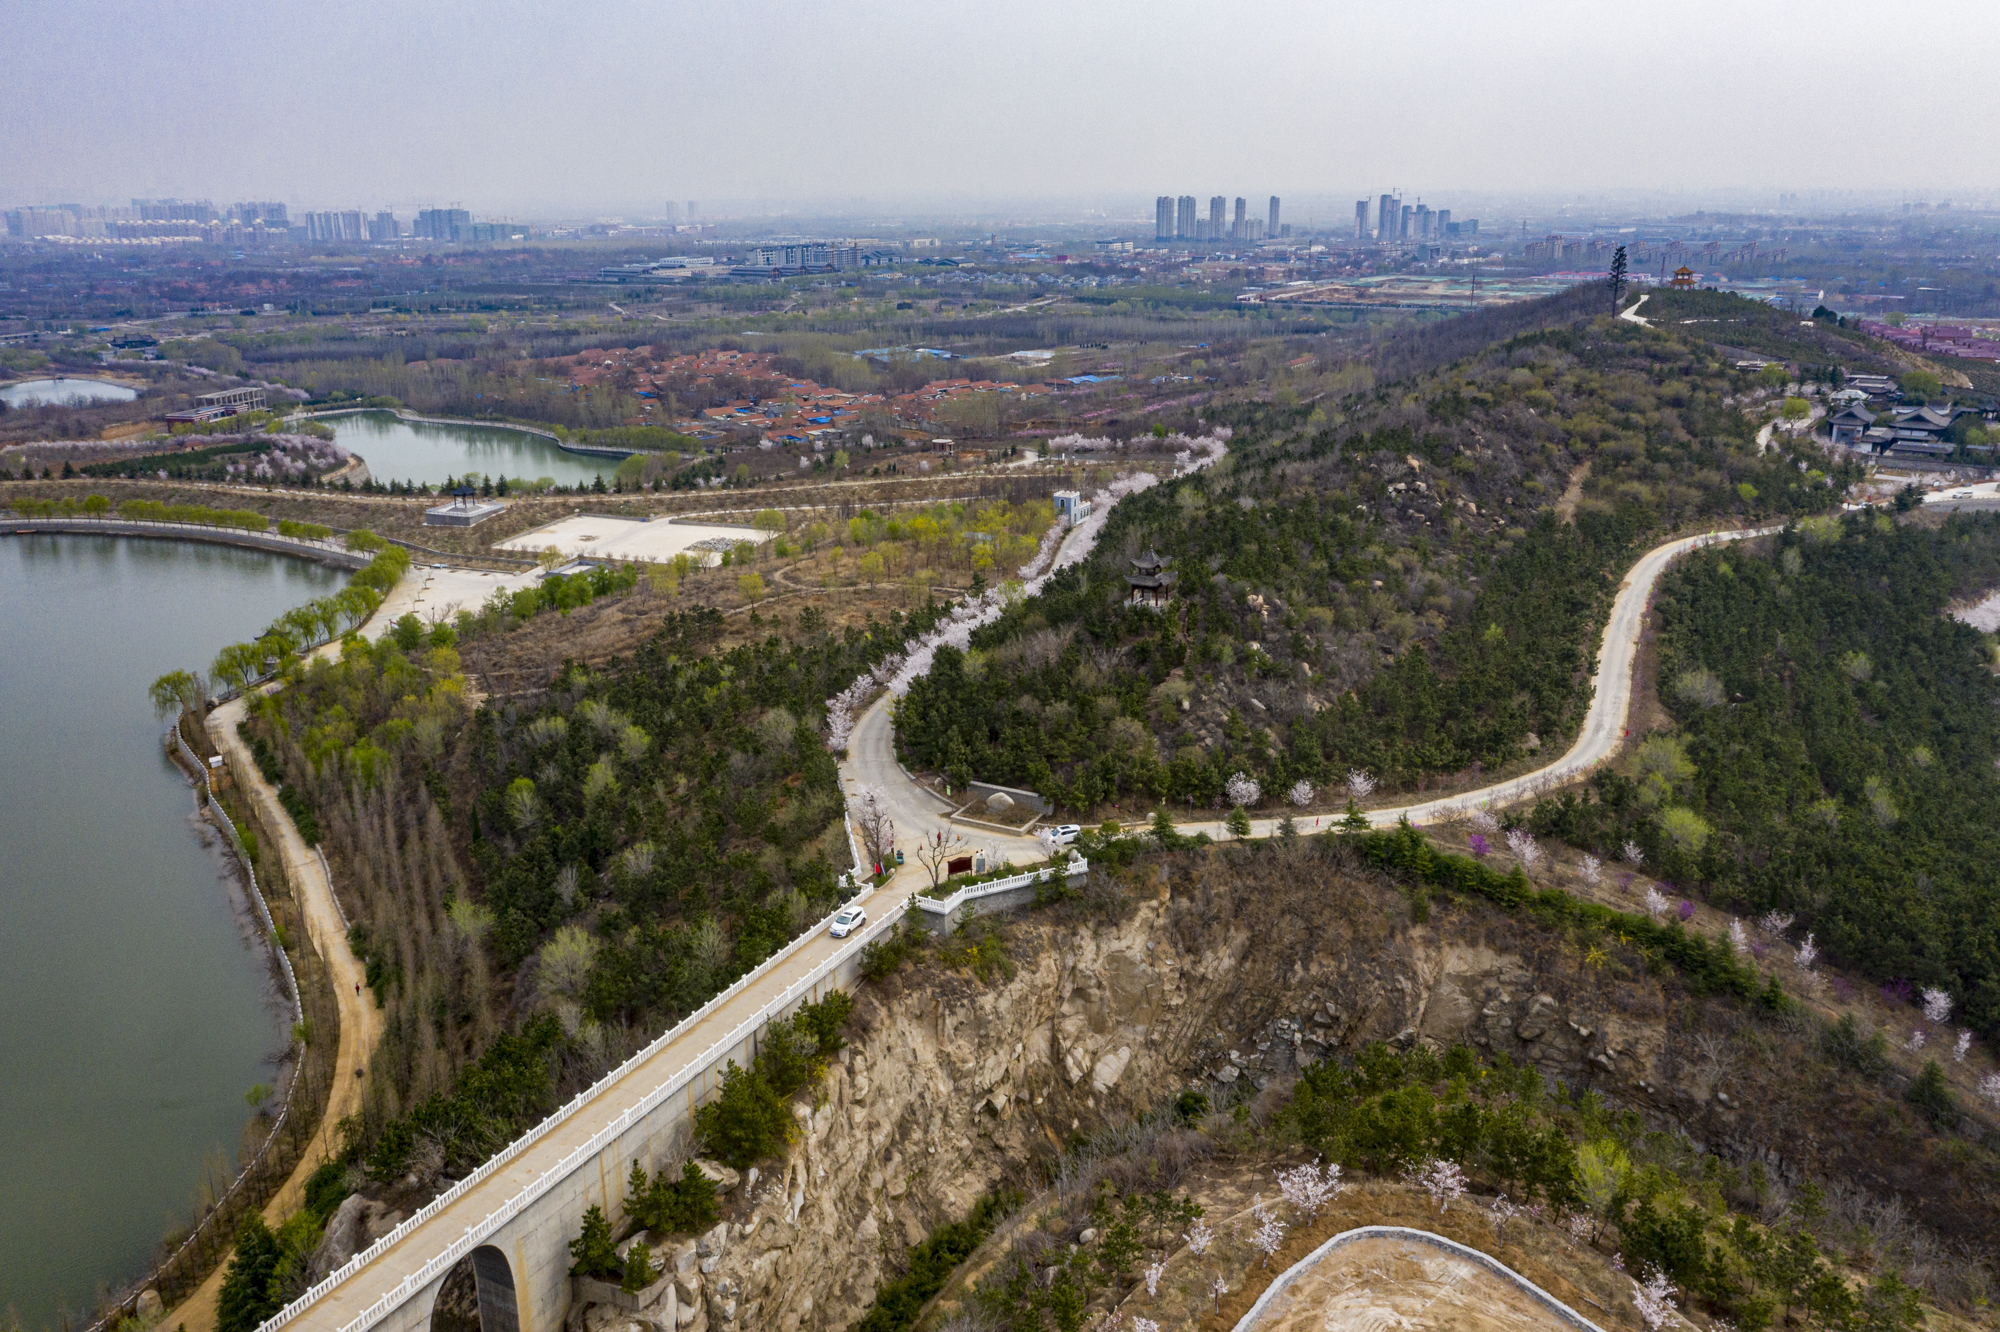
579 867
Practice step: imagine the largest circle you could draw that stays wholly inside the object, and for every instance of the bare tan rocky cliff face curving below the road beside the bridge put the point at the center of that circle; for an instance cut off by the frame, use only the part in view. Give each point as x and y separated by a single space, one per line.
1229 969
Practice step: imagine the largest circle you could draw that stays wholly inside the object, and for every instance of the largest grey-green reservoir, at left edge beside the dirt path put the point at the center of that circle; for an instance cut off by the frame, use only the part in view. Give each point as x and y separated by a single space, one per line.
135 1003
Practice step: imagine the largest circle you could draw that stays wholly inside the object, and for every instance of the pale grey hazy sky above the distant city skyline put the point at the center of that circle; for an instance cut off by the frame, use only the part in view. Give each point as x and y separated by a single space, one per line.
621 105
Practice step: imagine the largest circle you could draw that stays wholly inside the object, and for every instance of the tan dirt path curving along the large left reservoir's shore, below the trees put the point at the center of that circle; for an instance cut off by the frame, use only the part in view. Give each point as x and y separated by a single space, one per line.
361 1021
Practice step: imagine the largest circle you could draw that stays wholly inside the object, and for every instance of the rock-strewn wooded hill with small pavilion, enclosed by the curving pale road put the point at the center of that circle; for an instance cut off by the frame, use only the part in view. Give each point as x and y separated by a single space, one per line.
1405 583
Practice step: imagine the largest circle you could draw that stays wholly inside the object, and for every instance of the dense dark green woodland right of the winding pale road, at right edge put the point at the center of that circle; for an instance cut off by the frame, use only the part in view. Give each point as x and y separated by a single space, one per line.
1835 749
